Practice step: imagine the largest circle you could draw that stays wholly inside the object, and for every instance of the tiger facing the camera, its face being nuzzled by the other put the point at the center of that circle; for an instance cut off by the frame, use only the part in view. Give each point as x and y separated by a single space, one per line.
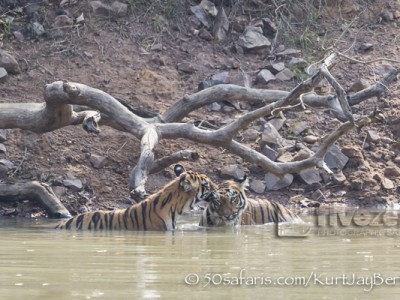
229 206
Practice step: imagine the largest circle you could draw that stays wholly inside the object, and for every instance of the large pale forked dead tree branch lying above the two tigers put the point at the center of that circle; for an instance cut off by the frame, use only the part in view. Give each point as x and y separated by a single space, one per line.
61 97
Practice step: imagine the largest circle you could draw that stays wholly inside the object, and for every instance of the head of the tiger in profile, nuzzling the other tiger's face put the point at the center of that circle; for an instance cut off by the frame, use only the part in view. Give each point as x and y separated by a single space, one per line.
193 183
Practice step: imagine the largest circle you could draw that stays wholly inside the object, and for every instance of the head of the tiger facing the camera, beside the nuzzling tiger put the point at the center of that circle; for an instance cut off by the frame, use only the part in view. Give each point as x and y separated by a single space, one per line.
227 202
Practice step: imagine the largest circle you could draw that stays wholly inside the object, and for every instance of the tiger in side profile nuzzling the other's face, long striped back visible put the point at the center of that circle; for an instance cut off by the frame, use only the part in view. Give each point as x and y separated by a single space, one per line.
157 212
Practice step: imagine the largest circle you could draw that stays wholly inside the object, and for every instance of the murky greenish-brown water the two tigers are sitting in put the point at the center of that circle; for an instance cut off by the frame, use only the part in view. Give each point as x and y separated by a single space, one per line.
38 262
